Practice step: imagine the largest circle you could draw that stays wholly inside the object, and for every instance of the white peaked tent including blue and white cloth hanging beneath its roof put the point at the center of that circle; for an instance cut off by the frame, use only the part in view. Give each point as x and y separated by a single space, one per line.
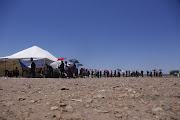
39 55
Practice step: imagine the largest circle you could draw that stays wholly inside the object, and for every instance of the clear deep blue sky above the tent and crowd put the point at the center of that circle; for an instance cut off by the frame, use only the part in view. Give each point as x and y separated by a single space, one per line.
106 34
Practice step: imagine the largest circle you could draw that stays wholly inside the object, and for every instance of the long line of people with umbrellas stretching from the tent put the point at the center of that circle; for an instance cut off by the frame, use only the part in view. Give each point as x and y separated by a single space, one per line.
71 71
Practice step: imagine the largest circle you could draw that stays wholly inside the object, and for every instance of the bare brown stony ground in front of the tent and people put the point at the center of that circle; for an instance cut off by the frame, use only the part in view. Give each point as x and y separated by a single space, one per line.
90 99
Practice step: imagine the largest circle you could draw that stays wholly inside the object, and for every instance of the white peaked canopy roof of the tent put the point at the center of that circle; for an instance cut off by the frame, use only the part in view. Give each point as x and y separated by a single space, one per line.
32 52
